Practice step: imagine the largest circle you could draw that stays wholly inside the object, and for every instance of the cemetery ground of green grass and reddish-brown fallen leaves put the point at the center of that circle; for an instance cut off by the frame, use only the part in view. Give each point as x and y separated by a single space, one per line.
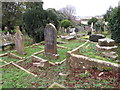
14 77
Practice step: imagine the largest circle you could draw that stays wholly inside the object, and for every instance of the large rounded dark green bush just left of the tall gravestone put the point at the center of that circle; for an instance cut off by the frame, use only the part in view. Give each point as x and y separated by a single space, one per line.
34 22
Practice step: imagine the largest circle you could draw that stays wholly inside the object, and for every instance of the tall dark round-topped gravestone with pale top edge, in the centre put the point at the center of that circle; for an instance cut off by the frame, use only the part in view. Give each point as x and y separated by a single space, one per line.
50 35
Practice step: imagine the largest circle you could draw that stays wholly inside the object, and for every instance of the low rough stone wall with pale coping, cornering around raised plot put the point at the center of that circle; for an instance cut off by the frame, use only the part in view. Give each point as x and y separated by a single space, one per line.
74 61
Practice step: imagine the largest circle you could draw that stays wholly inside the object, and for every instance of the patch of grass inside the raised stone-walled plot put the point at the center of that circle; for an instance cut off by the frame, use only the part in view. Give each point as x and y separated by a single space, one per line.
91 51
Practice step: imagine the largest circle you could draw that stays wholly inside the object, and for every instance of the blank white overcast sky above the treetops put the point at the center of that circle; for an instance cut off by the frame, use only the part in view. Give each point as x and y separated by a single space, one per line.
83 7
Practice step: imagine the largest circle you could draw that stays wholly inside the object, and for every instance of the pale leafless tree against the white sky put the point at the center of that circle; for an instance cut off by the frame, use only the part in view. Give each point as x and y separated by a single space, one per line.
69 11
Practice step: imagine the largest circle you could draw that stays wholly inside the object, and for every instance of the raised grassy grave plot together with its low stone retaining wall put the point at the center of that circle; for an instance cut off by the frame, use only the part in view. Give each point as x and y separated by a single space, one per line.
80 58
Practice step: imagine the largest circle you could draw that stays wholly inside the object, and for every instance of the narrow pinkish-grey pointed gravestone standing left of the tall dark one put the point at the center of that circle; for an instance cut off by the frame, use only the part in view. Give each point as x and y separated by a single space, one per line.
19 42
